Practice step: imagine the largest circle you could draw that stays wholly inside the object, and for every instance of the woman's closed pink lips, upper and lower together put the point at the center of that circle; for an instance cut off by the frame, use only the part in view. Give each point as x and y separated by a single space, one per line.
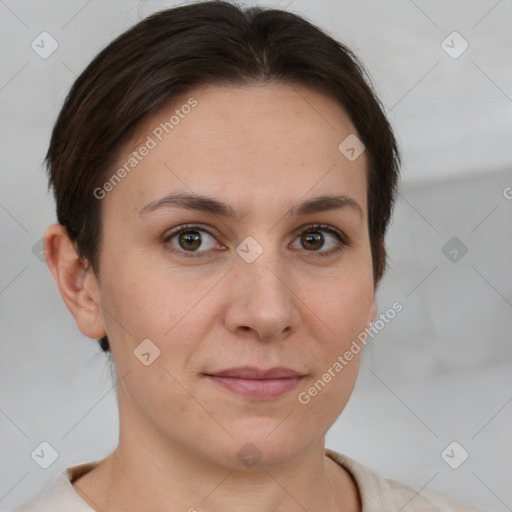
258 384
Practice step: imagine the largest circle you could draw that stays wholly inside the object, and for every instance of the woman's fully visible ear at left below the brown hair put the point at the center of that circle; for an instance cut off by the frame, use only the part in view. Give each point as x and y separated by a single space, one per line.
78 285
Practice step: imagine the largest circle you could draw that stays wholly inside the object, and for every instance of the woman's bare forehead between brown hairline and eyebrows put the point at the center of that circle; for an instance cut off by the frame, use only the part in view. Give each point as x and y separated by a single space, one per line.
262 142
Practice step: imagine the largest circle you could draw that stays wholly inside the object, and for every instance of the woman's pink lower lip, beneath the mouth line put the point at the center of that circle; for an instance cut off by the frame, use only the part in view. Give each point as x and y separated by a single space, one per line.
257 388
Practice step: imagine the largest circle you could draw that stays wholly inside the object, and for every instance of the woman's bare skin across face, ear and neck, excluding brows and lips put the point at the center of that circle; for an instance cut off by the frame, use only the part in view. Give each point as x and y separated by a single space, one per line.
261 148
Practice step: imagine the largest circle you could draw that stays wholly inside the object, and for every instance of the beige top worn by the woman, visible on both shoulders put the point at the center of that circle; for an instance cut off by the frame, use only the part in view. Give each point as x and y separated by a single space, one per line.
378 493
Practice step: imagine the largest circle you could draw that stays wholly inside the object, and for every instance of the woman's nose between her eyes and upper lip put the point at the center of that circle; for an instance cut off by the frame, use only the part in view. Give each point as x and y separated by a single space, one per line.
263 299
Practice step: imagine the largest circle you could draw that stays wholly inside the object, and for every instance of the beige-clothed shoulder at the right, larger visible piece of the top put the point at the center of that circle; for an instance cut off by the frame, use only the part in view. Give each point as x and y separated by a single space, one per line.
382 494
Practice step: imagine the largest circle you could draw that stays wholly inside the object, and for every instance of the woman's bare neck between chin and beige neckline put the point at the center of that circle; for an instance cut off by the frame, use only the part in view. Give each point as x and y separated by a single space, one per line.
140 475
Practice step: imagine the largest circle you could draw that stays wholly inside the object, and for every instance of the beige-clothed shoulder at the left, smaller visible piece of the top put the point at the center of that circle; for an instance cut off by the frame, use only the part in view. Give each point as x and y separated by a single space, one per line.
61 494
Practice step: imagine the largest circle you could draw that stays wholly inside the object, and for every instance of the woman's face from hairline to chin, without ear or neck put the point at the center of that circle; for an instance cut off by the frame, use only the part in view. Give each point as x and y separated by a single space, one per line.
267 288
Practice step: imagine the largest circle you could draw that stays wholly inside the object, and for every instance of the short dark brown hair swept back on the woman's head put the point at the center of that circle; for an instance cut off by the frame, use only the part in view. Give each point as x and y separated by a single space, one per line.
212 42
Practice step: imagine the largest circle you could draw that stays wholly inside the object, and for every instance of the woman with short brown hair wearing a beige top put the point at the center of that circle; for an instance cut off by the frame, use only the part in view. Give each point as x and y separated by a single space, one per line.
224 179
